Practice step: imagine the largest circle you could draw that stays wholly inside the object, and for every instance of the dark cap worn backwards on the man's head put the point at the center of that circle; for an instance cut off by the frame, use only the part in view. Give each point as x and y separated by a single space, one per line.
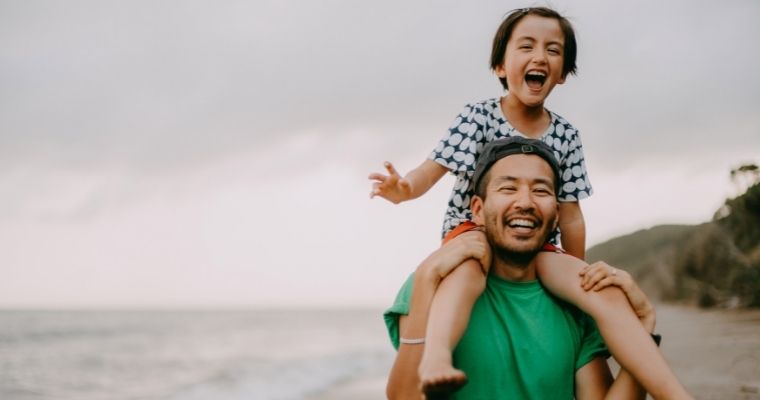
500 148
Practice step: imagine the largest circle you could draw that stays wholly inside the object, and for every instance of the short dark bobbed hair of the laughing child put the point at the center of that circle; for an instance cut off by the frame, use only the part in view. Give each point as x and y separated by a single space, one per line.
508 25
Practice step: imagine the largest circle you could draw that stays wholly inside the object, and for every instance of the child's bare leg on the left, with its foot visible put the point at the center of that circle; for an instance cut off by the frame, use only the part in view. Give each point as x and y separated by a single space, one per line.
449 316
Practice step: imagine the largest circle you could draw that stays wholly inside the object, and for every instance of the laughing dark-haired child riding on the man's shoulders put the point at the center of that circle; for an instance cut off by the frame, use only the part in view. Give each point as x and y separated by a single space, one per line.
533 51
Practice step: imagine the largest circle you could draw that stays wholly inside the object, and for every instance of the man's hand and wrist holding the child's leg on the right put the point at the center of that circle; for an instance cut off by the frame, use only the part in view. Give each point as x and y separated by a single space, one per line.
599 275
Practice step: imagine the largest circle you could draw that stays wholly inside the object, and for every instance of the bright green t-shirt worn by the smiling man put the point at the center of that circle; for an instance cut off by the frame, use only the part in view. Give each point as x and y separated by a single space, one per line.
521 342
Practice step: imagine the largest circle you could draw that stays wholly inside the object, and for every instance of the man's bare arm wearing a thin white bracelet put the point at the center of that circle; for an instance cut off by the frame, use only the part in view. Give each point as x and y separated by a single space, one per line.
403 380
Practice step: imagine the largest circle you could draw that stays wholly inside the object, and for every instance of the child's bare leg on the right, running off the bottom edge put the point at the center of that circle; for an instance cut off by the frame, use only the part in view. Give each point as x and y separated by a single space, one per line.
621 329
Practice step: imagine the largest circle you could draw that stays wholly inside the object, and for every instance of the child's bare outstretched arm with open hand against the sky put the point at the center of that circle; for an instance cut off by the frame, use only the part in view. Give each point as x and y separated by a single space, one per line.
396 189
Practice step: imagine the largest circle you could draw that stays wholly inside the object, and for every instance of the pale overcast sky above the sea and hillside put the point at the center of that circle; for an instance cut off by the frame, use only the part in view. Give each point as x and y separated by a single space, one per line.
204 154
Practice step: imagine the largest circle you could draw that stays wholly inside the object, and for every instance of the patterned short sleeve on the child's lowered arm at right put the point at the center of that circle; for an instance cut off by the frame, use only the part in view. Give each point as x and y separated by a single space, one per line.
574 184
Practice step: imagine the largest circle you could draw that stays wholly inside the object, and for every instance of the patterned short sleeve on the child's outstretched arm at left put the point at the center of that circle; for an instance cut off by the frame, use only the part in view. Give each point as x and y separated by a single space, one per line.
458 149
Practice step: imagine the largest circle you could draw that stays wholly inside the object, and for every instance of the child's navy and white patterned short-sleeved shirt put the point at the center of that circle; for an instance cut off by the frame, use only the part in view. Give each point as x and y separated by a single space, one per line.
482 122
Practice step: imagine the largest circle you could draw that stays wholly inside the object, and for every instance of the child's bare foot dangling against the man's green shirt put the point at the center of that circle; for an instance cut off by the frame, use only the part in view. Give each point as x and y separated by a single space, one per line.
438 378
